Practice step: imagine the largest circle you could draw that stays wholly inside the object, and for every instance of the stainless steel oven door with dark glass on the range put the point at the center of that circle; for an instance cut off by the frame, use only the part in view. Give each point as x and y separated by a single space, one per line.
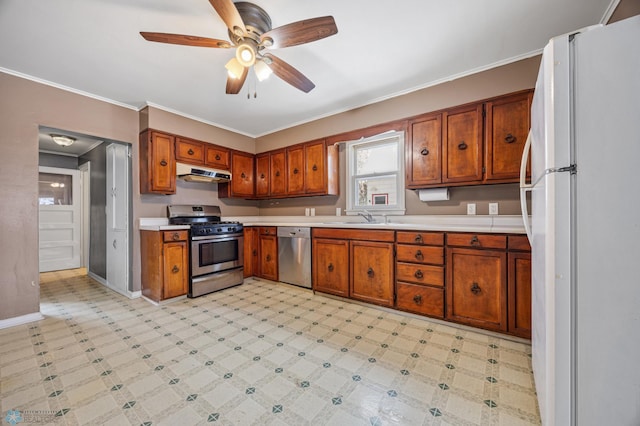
216 253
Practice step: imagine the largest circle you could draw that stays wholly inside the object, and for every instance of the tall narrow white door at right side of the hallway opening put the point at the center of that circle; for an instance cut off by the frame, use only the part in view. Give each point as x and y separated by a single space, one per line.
118 217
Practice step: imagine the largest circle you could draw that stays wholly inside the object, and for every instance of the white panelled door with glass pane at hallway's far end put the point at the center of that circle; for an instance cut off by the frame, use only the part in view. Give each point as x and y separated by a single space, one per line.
60 198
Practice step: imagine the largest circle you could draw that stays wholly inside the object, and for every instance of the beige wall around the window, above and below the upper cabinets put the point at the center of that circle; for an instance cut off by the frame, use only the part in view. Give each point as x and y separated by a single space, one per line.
505 79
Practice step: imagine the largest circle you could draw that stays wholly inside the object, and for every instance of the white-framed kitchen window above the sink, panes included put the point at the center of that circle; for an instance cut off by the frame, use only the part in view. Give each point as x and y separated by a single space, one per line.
375 174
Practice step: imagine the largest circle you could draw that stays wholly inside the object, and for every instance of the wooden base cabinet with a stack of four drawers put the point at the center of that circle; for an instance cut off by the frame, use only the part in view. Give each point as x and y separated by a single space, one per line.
420 272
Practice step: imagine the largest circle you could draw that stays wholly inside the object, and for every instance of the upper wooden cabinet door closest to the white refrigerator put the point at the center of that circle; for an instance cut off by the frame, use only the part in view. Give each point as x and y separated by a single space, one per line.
507 126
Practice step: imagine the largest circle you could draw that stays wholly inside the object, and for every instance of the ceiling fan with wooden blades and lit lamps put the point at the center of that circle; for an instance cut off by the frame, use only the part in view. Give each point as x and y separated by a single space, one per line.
251 34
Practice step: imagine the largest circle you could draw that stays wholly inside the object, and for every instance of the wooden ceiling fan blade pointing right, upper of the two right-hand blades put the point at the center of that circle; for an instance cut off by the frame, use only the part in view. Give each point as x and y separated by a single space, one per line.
300 32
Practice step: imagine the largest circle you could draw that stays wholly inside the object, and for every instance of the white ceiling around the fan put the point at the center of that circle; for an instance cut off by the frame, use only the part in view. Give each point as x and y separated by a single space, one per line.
383 48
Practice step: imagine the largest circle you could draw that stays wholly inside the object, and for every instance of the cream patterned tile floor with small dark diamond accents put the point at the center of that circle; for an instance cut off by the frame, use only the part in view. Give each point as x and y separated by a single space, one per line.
260 353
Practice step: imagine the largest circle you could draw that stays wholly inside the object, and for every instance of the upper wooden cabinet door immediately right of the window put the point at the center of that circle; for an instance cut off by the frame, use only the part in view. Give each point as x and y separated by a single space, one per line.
423 153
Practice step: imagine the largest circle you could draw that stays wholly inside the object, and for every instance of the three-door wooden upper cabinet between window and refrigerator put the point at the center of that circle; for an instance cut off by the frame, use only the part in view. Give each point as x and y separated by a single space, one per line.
469 145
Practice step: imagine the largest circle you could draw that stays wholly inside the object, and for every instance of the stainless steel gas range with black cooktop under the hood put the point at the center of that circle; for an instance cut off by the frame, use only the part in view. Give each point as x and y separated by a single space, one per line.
217 248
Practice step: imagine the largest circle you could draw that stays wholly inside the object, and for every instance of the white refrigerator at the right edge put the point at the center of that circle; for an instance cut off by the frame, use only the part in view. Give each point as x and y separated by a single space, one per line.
585 227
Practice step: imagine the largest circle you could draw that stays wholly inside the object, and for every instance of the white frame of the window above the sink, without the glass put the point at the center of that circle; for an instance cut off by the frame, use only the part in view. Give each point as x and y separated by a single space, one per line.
351 206
